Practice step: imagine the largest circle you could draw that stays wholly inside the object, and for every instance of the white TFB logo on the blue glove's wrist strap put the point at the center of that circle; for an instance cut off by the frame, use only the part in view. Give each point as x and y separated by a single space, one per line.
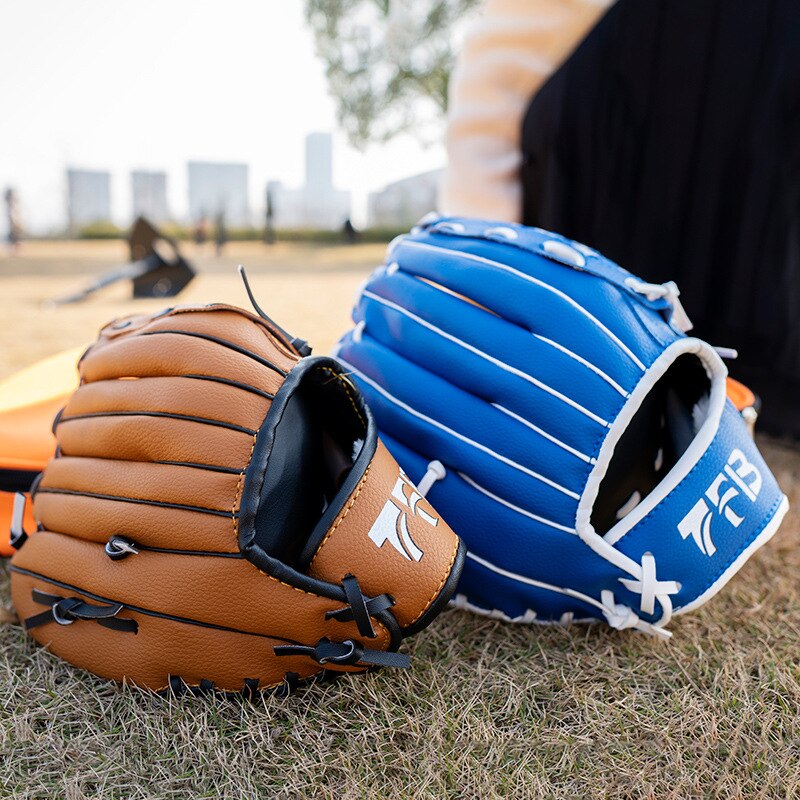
738 477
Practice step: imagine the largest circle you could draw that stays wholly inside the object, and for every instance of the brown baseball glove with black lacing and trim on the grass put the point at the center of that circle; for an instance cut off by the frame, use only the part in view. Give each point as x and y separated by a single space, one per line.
218 512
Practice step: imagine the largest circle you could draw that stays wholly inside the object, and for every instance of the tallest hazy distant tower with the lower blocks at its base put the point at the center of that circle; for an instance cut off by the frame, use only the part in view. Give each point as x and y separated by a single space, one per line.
317 204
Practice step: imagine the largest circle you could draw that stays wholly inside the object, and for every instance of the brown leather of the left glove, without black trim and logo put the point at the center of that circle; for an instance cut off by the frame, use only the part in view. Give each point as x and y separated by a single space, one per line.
110 479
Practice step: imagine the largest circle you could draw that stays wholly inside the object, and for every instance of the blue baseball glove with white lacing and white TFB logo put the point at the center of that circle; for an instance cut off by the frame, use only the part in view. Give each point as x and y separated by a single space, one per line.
563 422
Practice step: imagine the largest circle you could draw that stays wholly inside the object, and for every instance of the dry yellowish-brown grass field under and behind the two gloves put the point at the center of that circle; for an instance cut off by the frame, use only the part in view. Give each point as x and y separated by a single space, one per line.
488 710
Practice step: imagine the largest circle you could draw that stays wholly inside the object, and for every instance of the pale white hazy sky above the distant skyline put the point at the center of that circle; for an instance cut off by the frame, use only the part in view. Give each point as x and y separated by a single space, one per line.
123 84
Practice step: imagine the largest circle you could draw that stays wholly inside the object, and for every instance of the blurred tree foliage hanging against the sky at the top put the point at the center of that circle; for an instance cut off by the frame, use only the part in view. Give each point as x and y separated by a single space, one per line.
388 62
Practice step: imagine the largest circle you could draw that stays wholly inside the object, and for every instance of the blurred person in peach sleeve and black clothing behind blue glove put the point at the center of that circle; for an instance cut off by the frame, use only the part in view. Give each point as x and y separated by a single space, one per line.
665 134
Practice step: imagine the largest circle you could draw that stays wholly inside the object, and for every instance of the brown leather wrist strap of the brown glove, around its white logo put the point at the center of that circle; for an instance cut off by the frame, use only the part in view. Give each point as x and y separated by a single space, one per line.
348 549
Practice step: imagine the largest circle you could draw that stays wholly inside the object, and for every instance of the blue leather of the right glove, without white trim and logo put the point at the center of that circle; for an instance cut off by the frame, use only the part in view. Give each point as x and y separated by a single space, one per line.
509 365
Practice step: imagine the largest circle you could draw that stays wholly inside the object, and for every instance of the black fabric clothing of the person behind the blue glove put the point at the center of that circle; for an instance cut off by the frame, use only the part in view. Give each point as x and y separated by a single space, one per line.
670 142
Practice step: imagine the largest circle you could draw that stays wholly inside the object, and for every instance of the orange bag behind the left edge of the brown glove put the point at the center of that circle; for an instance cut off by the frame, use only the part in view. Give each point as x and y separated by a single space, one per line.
29 400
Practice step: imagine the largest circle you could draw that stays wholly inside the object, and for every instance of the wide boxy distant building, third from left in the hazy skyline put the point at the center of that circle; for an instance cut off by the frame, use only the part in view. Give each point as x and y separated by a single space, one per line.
216 188
